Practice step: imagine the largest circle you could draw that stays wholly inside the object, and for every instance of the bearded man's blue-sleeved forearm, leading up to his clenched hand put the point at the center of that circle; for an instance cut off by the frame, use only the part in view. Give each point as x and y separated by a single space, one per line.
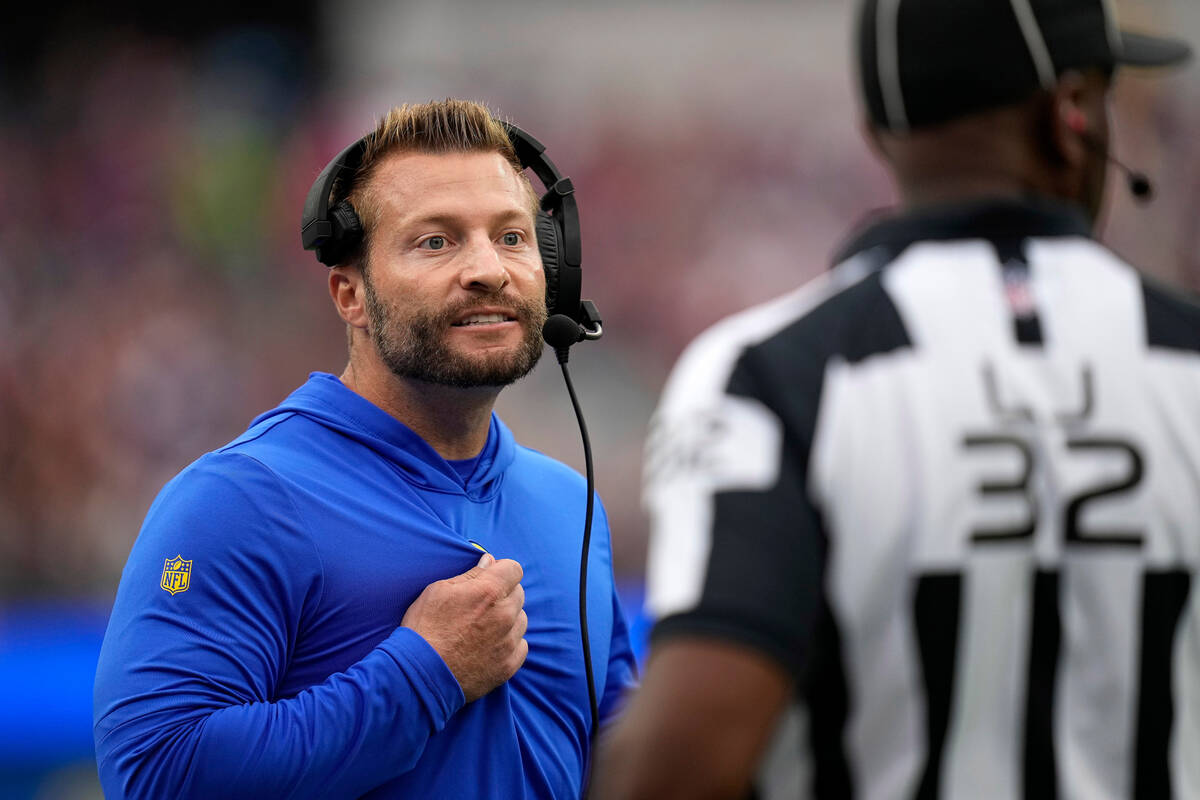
341 738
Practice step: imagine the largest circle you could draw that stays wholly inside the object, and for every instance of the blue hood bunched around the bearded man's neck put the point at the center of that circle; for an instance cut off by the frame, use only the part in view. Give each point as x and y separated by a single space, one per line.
328 402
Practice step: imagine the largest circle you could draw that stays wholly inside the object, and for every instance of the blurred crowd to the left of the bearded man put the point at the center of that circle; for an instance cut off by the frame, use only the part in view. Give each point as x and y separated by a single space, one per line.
145 286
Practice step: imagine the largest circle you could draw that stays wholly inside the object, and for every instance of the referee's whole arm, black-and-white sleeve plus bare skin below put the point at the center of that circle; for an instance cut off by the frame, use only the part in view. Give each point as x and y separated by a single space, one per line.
735 575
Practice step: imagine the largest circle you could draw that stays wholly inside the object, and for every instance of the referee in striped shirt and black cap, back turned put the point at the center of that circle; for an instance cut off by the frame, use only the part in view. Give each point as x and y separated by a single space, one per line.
931 527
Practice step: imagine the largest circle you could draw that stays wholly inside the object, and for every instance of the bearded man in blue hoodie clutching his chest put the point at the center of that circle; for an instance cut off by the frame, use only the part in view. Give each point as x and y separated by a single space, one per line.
307 612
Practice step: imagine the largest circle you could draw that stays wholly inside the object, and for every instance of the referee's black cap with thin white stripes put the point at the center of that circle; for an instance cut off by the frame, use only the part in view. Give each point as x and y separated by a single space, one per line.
928 62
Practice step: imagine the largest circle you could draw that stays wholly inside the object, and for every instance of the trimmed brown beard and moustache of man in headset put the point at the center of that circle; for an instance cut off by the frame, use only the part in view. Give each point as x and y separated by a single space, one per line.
413 345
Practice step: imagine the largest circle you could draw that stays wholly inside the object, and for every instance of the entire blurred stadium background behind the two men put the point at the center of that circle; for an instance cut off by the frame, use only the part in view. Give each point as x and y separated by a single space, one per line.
154 297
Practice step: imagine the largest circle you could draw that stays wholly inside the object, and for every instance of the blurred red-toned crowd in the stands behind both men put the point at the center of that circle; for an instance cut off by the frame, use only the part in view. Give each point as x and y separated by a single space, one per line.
154 296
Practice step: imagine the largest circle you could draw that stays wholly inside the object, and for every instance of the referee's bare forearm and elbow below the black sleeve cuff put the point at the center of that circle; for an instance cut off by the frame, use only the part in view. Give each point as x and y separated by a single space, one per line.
698 726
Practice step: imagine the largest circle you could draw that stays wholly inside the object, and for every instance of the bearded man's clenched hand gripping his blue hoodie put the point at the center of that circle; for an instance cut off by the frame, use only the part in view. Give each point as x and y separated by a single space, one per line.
477 623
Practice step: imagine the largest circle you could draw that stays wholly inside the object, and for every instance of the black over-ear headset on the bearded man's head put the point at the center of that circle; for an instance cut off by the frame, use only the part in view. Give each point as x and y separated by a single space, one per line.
335 233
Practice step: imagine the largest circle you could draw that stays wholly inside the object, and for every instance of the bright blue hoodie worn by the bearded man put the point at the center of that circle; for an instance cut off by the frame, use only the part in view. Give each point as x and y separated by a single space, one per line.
254 648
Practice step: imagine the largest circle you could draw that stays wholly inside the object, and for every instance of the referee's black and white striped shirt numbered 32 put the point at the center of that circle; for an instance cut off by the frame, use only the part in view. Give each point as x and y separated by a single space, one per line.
953 486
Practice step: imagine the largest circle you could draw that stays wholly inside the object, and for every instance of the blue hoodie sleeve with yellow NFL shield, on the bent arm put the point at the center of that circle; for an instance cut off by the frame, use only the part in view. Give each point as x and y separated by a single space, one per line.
218 588
